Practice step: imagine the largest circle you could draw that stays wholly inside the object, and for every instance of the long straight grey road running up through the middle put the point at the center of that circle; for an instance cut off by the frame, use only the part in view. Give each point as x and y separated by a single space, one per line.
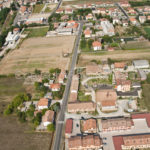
61 116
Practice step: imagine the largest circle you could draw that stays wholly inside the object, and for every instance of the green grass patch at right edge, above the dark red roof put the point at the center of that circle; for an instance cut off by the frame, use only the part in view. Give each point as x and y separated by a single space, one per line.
145 102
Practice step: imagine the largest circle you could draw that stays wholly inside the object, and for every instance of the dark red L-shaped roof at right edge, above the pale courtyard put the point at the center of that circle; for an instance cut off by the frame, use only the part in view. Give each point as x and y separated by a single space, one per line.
142 116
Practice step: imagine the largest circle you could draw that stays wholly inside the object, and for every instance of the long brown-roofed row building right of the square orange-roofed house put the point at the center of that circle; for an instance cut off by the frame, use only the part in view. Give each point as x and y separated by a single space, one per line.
116 124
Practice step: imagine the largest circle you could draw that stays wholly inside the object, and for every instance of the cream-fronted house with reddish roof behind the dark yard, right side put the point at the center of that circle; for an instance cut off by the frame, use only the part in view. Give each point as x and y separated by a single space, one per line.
123 85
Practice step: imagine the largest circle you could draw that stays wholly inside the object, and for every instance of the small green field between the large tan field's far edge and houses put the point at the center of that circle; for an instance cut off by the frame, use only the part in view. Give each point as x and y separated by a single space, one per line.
36 32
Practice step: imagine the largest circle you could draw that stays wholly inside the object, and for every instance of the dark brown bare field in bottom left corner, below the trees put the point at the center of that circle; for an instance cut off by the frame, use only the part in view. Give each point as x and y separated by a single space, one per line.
17 136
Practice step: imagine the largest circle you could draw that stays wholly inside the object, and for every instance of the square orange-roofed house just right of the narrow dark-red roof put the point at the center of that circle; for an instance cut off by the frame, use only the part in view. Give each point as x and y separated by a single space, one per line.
89 126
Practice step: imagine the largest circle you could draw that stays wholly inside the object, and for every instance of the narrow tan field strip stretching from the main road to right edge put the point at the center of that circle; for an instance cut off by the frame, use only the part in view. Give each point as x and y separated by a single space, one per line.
118 54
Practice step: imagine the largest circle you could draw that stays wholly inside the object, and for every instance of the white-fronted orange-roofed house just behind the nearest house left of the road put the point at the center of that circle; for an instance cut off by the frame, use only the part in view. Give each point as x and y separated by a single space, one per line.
43 103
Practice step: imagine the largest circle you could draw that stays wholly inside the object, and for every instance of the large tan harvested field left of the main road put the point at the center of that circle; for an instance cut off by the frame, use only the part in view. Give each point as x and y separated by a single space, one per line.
41 53
